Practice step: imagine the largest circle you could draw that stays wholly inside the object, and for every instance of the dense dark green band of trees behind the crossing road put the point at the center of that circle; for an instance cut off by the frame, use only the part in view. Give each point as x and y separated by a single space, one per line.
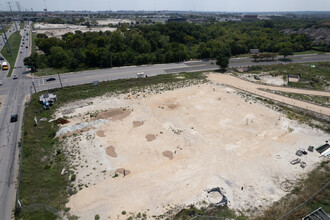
162 43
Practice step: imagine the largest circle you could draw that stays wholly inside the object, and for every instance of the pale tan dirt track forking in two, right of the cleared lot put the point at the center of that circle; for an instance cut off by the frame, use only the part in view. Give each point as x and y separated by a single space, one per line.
255 89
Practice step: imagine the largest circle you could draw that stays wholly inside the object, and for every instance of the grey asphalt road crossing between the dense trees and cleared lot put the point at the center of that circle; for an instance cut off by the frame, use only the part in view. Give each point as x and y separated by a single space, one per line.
78 78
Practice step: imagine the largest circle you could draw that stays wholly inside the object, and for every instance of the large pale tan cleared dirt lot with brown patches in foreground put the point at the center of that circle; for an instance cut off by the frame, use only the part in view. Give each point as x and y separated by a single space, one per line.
157 153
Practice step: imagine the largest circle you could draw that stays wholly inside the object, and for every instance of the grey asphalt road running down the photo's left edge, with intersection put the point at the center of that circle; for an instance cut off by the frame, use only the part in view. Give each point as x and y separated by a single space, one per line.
15 91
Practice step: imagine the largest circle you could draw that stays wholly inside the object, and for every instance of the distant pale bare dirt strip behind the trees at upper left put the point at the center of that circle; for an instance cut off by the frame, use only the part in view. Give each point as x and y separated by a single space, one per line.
57 30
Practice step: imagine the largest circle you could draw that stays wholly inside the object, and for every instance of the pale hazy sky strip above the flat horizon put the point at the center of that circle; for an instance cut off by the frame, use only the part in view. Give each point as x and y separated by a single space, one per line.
183 5
